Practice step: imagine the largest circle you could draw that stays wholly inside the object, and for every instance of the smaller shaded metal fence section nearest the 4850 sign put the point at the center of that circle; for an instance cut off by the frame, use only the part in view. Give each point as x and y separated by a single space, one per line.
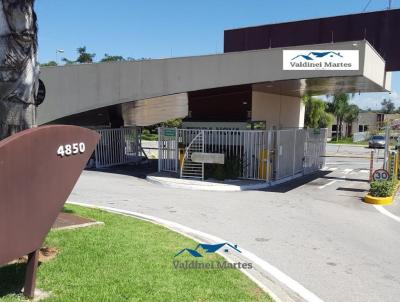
118 146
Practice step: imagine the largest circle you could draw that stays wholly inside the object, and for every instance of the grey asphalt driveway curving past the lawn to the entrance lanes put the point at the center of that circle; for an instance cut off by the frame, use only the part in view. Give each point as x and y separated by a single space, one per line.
316 230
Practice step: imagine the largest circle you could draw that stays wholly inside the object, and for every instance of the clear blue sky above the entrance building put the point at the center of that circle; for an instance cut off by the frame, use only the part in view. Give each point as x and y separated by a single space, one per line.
161 28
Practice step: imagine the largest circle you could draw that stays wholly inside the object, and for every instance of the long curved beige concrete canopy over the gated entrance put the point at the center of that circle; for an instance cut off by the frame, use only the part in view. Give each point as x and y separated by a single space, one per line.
74 89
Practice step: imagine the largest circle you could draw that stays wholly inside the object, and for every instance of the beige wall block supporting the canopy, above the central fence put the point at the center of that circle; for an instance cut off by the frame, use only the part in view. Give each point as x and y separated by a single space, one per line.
278 111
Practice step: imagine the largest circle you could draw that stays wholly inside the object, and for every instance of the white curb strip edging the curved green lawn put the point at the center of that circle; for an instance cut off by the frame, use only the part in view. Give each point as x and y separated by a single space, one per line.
269 268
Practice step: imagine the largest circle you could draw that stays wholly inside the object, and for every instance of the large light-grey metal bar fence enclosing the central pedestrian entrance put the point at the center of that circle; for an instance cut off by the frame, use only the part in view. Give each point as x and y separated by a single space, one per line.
270 155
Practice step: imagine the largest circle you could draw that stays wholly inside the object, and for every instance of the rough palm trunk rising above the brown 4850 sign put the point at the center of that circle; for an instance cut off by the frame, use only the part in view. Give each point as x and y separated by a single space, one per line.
19 69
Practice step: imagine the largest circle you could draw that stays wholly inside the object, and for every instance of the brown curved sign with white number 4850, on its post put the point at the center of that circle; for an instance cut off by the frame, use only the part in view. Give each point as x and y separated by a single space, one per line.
38 170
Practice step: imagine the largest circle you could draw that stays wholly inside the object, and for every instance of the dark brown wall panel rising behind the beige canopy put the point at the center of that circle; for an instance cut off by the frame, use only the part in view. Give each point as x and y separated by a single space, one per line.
381 29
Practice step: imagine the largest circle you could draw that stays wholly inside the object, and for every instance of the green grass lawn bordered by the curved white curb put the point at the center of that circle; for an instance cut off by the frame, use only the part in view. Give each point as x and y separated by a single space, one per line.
127 260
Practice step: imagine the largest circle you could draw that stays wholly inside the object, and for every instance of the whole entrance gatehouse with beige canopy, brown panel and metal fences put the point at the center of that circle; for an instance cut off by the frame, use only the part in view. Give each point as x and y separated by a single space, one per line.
226 92
